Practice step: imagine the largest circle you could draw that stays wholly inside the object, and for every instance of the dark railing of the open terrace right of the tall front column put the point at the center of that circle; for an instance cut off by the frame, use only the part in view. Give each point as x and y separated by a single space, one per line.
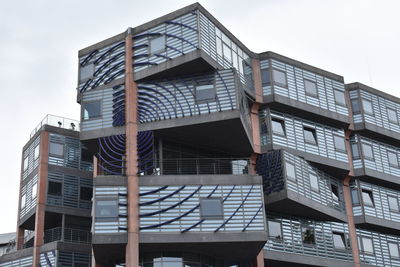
196 166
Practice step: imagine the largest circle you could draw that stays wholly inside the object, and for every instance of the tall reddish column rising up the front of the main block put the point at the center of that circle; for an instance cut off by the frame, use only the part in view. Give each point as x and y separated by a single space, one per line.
132 248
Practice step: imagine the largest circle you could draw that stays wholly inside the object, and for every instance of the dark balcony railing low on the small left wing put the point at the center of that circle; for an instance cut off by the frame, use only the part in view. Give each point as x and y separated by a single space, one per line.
68 235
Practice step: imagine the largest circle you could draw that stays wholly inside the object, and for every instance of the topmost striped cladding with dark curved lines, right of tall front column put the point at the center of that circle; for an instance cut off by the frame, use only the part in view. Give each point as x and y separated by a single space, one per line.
181 38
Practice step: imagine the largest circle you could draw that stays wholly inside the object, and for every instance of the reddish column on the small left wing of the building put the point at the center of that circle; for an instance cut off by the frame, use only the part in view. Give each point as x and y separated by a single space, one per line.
41 196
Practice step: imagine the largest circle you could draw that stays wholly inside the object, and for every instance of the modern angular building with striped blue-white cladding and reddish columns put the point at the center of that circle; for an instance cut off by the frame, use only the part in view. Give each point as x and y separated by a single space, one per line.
203 153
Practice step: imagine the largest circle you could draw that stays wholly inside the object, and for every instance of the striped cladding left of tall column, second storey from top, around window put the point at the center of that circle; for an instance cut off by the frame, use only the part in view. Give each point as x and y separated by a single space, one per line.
106 119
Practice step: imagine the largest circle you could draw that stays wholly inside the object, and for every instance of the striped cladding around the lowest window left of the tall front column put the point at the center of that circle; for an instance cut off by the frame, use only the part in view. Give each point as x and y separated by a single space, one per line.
116 224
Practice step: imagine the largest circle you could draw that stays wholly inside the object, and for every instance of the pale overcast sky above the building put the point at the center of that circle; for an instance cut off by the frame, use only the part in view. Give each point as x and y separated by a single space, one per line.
39 43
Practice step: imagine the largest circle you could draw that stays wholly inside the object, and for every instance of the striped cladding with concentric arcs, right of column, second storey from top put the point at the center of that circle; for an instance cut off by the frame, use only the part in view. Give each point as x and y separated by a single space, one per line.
169 99
